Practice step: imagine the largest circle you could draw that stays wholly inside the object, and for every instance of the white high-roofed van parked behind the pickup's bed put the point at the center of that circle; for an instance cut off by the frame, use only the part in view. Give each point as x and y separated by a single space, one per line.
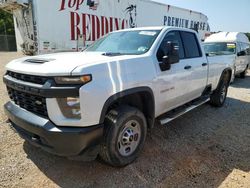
233 47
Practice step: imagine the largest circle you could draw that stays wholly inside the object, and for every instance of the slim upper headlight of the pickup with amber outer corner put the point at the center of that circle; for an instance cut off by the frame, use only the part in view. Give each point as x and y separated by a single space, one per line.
73 79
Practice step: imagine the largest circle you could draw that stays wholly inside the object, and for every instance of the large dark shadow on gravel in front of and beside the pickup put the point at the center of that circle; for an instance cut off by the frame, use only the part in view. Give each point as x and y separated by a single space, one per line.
199 149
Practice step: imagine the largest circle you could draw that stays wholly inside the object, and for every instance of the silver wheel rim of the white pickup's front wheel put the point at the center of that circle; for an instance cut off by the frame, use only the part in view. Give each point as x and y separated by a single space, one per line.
129 138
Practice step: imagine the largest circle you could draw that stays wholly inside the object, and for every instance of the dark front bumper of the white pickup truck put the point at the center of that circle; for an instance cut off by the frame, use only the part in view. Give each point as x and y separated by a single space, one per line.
62 141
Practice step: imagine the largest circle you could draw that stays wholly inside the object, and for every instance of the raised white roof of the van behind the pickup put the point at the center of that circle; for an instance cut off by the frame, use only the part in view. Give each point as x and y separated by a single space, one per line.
228 37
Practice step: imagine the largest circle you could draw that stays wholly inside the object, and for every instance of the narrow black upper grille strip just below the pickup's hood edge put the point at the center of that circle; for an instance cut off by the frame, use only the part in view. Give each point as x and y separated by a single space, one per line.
28 78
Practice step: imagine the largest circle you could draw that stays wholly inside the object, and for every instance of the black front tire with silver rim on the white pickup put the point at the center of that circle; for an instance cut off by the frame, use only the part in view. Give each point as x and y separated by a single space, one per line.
124 136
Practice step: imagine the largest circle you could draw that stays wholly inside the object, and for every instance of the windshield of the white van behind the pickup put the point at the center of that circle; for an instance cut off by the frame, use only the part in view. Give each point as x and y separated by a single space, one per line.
220 48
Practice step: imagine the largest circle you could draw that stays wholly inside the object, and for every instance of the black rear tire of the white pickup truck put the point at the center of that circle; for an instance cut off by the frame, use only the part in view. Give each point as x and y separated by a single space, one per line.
219 96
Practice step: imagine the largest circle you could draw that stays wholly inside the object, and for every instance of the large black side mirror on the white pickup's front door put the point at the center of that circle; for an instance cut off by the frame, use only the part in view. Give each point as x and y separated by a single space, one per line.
170 57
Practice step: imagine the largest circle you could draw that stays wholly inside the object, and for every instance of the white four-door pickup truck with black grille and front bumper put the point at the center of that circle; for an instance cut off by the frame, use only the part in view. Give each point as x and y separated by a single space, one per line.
104 100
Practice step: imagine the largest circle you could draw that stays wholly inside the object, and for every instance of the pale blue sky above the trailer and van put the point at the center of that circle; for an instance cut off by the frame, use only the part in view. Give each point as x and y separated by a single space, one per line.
223 15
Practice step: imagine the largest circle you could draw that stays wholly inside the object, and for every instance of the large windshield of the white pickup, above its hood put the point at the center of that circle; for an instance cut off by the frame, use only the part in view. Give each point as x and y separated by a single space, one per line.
125 42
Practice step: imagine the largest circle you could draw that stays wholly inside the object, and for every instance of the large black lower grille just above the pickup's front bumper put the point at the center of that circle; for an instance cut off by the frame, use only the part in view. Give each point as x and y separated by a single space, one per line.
32 103
